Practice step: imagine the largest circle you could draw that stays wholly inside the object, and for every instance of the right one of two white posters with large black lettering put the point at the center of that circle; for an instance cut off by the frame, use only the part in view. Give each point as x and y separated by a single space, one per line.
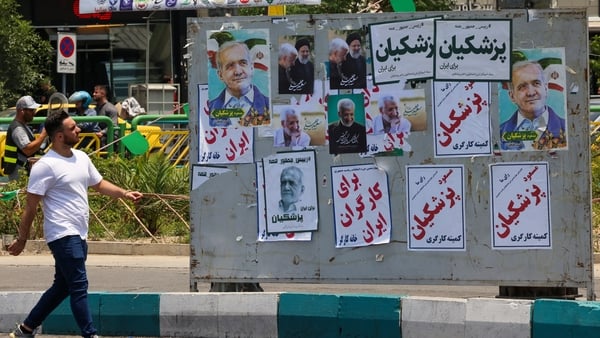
477 50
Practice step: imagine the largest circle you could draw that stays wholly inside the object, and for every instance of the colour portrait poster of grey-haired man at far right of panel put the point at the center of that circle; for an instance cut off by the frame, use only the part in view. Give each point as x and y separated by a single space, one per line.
533 104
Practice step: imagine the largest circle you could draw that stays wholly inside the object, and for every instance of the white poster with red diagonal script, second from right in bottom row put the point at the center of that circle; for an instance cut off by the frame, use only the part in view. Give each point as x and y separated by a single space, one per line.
435 204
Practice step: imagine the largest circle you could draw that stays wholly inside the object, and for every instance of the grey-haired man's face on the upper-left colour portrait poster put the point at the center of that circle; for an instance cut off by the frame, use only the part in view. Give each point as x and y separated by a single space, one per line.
235 69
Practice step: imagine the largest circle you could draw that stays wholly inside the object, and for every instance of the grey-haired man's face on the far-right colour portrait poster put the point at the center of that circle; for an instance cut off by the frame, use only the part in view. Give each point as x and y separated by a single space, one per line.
529 91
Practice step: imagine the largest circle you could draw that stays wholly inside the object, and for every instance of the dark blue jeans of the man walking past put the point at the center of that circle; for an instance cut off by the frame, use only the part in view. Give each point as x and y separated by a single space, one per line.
70 279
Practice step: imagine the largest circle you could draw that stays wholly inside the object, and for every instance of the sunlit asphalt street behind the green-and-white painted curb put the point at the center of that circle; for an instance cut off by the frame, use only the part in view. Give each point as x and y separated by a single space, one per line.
151 273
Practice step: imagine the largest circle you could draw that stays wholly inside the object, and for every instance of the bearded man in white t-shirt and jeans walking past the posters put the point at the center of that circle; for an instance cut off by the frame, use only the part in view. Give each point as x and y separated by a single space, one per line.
60 180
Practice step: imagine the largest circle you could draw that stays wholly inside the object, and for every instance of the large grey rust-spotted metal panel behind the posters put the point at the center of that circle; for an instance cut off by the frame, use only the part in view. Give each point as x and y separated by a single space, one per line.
223 209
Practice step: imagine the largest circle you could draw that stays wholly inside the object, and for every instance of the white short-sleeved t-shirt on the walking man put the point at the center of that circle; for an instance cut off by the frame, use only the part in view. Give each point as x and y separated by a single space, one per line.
63 182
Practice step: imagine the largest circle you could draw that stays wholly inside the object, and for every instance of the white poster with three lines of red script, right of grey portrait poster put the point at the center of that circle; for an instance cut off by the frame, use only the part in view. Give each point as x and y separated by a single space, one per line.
361 206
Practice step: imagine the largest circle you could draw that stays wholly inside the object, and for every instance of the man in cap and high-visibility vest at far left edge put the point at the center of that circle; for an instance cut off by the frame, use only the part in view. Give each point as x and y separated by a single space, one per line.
20 141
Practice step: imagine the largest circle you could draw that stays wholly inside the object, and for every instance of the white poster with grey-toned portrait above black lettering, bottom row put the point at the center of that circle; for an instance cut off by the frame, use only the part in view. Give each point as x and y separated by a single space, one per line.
291 192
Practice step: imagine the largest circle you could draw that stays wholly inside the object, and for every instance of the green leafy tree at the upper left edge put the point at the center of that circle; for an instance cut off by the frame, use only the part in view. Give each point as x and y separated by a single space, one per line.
24 55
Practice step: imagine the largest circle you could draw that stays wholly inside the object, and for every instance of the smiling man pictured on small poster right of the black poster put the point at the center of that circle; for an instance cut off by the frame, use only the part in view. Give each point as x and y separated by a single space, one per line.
390 120
